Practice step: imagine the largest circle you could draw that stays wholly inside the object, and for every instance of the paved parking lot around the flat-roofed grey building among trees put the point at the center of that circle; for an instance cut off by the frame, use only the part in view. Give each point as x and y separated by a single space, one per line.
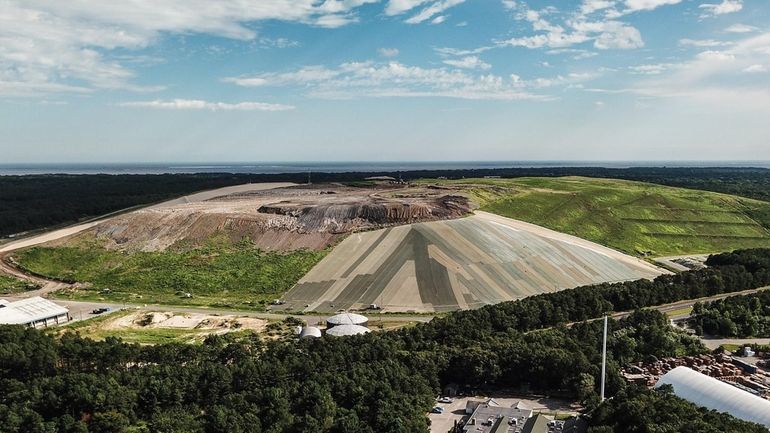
455 411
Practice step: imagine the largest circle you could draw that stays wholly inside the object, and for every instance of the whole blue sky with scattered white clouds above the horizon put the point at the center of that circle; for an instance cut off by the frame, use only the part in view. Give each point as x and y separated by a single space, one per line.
390 80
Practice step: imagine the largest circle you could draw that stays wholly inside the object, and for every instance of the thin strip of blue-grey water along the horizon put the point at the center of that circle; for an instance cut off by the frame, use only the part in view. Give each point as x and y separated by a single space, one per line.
340 167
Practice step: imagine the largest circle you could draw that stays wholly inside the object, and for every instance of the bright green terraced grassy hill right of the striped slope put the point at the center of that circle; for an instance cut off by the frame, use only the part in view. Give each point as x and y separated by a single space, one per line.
634 217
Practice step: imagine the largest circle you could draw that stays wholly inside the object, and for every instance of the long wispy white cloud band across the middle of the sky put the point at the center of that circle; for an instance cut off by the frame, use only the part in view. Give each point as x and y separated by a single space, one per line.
394 79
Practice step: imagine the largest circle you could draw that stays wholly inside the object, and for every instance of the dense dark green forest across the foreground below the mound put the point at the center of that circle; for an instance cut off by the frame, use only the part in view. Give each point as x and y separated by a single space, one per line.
377 383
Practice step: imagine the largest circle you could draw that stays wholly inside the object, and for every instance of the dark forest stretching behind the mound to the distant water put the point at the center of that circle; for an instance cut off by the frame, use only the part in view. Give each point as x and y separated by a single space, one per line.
38 201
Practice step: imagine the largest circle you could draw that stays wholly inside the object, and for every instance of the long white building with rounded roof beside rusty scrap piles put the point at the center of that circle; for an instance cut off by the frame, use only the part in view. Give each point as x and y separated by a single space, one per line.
714 394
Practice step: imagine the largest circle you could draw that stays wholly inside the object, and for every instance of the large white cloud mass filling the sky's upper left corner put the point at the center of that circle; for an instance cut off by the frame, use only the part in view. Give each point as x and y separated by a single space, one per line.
65 46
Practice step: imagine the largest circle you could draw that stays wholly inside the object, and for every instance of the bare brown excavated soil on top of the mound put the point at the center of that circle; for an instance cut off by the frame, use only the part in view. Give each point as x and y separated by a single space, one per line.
282 219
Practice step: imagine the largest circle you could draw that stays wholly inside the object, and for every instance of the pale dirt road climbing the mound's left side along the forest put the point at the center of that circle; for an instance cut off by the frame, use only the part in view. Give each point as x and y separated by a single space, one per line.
47 286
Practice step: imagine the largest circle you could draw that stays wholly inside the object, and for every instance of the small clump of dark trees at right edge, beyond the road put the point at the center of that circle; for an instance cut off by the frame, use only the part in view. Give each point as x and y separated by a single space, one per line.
738 316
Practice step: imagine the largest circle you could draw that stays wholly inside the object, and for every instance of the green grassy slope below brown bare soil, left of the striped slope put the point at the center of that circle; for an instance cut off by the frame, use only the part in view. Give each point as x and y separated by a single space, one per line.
218 275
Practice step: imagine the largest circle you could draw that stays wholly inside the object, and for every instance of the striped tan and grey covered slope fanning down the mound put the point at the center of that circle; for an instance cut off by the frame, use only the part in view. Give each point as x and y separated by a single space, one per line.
457 264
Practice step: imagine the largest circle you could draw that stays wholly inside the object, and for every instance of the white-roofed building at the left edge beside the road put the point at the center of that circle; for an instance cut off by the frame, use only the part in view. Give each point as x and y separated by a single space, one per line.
34 312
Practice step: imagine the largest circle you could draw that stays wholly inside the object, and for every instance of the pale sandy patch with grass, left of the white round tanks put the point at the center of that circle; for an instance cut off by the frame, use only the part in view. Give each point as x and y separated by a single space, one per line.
156 327
